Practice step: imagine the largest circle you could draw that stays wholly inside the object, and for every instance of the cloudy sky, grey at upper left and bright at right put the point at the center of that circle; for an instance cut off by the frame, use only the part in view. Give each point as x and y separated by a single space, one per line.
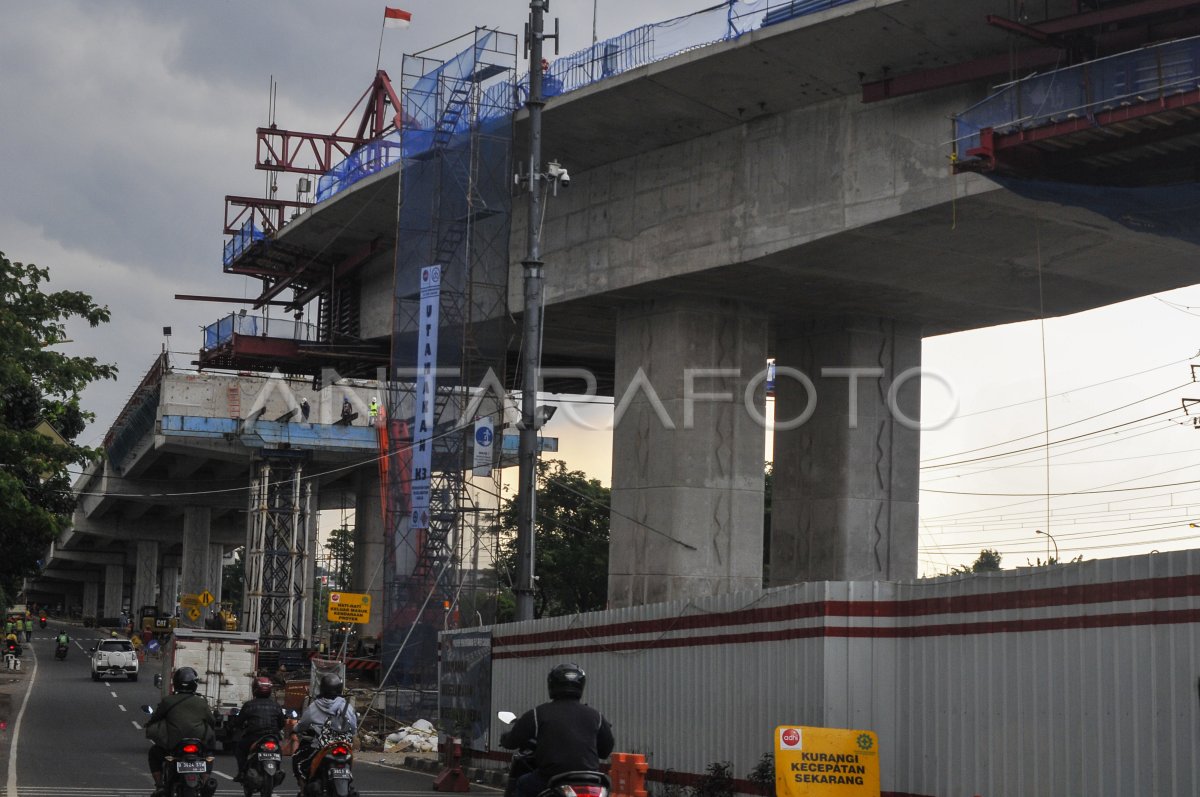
125 123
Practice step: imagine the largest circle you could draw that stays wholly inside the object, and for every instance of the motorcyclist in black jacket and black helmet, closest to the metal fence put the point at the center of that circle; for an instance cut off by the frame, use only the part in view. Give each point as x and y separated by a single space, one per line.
571 736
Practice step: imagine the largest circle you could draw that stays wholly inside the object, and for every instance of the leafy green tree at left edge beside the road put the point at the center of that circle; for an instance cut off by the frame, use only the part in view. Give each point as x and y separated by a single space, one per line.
39 385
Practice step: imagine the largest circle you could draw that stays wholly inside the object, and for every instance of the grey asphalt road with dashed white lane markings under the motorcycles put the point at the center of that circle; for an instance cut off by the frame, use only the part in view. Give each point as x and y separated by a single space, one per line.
82 739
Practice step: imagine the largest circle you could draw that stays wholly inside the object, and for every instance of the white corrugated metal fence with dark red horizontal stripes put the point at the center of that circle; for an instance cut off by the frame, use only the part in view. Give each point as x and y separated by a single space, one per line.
1076 680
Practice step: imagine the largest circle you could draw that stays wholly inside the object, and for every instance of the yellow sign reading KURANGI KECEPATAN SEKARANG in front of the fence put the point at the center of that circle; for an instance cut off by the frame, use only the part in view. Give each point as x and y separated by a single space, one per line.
826 763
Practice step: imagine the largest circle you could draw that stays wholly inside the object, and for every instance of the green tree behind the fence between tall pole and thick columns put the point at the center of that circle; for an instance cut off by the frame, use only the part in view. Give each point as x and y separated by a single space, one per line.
572 543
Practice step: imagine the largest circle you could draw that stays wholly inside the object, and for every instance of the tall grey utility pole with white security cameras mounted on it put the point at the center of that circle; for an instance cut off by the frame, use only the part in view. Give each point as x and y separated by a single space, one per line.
531 359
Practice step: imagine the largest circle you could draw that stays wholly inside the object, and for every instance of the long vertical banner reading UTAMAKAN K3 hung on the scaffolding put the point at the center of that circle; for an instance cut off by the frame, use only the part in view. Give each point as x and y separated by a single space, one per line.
427 394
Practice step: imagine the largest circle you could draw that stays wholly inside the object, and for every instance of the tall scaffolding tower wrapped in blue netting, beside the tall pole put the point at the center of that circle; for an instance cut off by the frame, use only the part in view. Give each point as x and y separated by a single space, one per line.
455 213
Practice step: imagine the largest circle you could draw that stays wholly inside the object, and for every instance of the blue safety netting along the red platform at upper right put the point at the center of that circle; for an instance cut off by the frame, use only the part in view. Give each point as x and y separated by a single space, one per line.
1081 92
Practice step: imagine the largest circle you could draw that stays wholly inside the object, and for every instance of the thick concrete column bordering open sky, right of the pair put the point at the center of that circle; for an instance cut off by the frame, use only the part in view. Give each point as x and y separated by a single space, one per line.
845 495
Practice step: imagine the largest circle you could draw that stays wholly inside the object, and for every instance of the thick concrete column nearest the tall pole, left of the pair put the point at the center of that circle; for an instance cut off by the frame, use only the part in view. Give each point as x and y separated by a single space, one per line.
688 476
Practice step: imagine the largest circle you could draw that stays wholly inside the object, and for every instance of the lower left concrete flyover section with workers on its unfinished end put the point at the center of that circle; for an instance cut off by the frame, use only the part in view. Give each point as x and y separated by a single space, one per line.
158 517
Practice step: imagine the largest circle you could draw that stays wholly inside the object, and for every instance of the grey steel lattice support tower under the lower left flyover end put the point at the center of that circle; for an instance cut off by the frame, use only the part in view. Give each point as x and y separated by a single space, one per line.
280 546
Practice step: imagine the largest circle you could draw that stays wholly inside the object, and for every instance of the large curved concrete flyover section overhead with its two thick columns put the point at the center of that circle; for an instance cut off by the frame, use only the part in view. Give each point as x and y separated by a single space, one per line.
740 202
